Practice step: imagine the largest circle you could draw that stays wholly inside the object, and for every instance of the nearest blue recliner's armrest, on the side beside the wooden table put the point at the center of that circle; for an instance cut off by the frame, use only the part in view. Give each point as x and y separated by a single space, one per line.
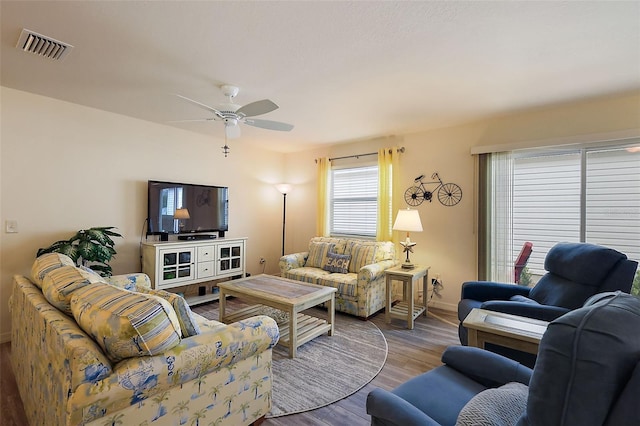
487 368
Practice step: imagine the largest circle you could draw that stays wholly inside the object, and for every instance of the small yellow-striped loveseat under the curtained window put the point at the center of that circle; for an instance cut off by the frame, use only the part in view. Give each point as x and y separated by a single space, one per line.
354 267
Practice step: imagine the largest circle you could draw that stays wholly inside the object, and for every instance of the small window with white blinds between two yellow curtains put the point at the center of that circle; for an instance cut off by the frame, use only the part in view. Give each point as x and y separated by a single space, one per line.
354 201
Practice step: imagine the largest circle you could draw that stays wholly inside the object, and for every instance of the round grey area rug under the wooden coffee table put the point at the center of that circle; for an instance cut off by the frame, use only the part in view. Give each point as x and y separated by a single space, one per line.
326 369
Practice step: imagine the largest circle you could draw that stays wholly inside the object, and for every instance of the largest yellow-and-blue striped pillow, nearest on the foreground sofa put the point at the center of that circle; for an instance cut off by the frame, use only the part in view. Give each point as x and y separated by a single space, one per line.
125 324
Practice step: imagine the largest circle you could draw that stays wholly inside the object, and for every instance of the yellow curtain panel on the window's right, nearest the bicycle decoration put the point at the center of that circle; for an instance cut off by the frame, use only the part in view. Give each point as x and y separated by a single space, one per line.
387 168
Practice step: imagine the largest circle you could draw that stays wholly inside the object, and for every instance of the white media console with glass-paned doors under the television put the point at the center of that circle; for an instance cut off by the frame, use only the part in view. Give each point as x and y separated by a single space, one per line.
173 264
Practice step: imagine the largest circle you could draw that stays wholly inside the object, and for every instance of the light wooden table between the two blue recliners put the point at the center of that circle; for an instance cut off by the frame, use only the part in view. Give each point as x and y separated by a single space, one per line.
512 331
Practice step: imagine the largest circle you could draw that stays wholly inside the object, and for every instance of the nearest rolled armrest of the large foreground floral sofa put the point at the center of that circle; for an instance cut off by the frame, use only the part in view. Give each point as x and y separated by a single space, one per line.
194 357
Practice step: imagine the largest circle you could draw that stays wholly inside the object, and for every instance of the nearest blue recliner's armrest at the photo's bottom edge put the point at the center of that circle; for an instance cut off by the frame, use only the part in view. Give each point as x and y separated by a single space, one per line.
382 404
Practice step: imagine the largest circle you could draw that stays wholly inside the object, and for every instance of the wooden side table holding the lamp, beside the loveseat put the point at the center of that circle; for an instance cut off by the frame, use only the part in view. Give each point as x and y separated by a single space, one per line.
406 309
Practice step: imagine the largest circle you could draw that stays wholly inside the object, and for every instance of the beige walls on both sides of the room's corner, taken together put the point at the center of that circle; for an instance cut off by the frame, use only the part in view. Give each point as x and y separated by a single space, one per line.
65 167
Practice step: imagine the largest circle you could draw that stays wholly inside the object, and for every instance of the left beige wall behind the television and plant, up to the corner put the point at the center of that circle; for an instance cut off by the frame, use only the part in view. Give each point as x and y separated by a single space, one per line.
66 167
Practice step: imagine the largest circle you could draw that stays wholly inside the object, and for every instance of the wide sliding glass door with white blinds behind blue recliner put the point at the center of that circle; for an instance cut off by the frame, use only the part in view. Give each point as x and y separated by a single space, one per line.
589 194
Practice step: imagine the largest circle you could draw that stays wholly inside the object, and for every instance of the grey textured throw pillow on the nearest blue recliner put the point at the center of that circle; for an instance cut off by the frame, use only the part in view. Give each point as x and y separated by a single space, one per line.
495 407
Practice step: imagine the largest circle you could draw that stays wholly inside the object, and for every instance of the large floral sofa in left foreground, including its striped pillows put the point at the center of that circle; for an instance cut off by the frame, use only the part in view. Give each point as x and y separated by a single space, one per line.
87 352
